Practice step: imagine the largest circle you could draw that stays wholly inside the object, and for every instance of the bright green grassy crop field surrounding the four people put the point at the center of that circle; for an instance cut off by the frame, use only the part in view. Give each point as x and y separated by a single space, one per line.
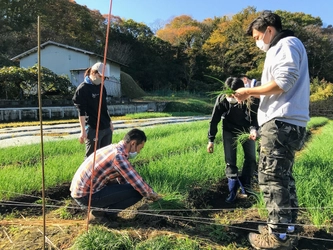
174 162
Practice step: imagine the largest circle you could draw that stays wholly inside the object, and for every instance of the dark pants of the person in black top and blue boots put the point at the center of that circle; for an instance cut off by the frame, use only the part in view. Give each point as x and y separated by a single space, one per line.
230 154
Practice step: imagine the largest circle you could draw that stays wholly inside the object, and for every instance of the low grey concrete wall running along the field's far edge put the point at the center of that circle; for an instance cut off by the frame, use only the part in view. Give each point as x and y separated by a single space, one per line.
68 112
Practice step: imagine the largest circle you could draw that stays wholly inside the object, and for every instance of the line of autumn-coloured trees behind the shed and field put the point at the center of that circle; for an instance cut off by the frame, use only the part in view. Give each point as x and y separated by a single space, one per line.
178 56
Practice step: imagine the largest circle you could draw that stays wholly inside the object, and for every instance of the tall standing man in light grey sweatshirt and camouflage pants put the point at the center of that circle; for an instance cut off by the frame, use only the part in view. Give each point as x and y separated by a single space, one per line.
282 116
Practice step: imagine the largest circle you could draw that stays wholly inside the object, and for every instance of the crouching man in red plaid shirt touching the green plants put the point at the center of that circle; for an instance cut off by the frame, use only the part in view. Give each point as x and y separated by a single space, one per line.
116 185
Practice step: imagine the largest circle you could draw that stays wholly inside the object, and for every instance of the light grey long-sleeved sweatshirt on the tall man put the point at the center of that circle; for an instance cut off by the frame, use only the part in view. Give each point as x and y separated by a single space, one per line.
287 64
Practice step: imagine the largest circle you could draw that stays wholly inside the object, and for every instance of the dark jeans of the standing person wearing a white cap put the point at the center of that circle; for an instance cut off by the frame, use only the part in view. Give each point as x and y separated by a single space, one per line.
104 139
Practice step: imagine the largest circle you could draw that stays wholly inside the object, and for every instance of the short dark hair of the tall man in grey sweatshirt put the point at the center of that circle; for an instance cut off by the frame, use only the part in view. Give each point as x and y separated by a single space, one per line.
266 18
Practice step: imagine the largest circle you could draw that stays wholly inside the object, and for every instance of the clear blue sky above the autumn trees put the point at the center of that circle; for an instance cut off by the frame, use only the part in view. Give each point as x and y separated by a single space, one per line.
158 12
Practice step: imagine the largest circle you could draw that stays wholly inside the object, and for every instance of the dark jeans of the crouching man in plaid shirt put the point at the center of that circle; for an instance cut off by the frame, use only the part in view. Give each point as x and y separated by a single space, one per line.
113 196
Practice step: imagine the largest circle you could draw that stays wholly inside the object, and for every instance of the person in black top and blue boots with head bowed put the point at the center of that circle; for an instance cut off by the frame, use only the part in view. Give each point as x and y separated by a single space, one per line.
236 118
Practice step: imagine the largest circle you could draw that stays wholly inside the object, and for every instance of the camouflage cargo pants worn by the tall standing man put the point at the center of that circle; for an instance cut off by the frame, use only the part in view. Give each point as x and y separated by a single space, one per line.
279 141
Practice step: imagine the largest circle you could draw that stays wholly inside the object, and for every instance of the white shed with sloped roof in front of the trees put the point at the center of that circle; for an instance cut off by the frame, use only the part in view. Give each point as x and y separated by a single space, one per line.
71 61
